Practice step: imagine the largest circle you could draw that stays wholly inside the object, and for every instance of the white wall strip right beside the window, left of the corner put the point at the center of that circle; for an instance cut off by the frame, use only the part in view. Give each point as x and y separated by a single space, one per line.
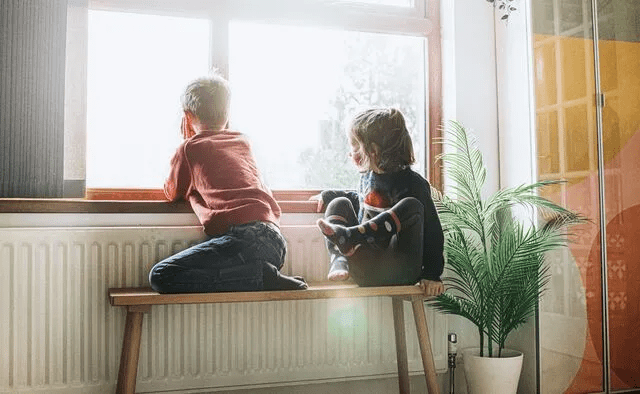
469 92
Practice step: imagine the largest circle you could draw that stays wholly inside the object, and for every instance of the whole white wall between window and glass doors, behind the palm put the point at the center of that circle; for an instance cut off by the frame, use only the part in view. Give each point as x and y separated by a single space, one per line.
487 87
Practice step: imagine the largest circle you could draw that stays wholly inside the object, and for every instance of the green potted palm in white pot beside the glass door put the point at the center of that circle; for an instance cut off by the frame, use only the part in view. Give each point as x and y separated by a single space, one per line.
497 259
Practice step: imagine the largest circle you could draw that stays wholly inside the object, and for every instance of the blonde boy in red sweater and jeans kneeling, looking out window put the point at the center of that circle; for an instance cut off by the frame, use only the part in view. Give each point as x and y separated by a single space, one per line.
214 169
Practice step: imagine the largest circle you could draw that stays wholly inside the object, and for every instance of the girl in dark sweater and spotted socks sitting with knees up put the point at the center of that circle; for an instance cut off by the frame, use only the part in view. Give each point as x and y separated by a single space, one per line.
389 232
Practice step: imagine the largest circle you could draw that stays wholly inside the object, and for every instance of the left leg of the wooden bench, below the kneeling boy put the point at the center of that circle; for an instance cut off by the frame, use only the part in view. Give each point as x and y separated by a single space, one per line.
131 350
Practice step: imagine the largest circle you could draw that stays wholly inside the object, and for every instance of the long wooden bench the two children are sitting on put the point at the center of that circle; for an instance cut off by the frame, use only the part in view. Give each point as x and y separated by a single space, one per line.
138 301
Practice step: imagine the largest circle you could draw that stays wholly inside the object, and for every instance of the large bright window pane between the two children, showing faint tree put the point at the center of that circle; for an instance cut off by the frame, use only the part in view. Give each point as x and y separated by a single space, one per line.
293 89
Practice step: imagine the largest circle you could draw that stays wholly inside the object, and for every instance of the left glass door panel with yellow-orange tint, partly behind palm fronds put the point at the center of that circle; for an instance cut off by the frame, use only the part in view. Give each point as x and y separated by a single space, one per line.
570 322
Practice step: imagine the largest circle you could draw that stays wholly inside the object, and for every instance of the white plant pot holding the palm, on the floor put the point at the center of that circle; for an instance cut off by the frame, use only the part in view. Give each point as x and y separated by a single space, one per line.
492 375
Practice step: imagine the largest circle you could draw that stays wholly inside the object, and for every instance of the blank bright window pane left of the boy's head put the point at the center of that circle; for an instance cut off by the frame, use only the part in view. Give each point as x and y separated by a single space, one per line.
138 67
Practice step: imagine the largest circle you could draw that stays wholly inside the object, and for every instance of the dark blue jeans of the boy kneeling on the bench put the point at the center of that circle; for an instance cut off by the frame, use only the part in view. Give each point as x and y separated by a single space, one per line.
234 261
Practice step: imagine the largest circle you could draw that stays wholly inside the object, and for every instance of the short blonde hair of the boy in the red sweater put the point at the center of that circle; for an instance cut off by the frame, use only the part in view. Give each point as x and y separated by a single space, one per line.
208 99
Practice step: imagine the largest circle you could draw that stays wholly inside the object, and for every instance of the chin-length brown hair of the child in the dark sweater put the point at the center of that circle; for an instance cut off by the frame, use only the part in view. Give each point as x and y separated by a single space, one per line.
383 131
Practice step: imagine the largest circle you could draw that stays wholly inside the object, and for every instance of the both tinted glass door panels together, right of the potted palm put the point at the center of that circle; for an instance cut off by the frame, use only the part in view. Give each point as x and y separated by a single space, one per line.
588 134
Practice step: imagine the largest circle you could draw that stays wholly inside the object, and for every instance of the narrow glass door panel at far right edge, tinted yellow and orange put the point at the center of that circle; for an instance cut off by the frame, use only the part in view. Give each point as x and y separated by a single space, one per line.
618 23
